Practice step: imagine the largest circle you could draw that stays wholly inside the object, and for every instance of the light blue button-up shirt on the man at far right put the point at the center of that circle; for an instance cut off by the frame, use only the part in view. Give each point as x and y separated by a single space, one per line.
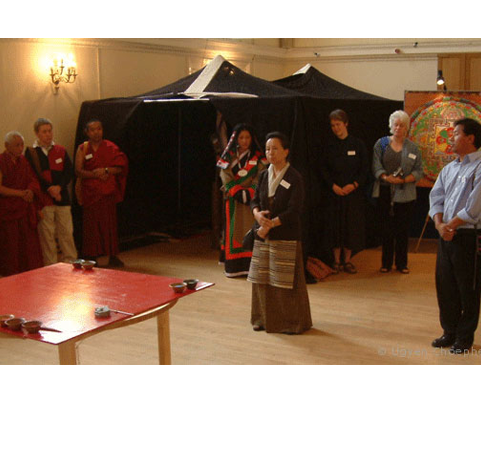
457 191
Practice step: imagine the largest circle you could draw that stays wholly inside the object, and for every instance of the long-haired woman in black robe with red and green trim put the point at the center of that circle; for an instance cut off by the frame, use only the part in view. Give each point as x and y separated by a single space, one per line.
240 164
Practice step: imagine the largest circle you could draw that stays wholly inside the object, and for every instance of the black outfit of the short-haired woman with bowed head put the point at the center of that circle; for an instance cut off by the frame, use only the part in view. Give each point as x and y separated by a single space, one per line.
345 162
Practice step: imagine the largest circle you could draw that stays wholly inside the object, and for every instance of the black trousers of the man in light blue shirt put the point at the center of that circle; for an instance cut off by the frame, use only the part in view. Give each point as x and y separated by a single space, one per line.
458 298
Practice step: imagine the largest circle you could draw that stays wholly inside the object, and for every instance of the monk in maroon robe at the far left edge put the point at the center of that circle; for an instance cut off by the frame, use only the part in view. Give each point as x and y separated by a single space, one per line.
19 243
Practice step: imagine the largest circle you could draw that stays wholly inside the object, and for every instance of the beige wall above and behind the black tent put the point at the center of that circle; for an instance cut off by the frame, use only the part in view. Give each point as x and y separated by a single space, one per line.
130 66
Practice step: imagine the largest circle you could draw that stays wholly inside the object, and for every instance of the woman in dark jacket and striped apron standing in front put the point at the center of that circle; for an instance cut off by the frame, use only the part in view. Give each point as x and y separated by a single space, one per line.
280 303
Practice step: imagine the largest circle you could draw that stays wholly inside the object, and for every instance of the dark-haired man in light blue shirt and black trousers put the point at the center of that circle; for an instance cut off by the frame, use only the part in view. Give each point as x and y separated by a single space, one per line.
456 210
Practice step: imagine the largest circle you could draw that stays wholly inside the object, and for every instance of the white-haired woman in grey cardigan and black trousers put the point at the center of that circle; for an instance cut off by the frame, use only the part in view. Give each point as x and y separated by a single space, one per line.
397 167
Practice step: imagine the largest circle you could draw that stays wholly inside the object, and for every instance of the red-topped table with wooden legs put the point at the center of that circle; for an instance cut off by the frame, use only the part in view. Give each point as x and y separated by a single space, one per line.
64 299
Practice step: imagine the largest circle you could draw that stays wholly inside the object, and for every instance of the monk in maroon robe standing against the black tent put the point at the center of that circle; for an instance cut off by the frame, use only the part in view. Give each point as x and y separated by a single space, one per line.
102 171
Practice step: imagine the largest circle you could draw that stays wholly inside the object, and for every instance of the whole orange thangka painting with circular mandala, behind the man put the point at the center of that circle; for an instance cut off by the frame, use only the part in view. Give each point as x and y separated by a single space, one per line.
433 115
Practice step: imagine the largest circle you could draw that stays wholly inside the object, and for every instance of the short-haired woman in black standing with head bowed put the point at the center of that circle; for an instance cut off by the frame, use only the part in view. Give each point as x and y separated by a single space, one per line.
345 168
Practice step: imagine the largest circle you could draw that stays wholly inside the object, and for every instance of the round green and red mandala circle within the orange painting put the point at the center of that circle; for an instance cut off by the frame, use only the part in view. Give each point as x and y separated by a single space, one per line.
432 127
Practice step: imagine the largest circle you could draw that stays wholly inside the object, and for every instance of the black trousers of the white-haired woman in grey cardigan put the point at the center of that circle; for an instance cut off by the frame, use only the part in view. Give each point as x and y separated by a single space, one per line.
395 223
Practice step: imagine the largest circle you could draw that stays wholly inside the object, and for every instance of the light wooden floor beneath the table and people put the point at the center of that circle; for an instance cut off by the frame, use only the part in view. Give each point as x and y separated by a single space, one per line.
367 318
